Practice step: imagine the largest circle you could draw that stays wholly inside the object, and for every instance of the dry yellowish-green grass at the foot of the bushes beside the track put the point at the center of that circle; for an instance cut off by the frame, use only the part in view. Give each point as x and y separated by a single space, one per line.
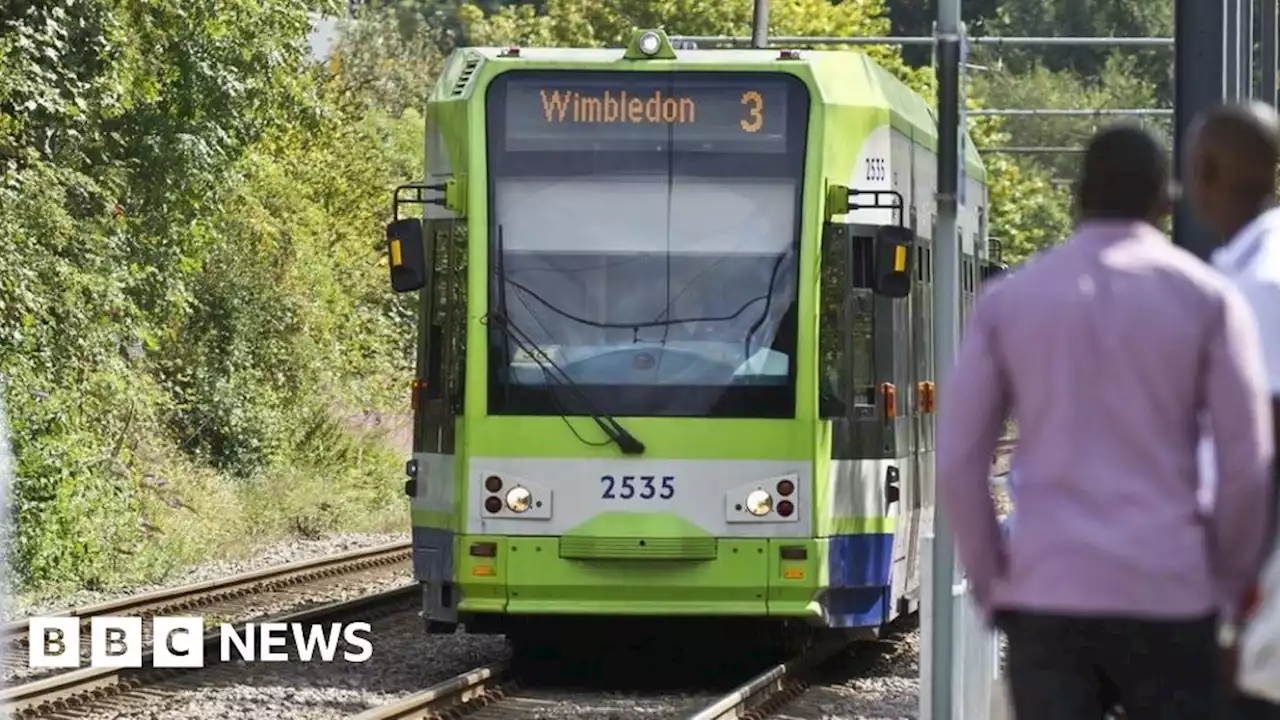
346 481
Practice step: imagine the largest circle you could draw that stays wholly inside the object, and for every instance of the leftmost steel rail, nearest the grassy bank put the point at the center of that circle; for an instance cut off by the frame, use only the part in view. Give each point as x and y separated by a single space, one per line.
195 595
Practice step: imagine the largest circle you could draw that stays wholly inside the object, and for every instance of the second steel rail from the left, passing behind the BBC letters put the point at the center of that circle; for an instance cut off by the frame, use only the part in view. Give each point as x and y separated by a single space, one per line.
58 692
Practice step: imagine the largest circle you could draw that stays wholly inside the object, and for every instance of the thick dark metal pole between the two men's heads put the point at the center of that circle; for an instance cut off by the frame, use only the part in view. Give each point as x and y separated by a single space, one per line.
1199 85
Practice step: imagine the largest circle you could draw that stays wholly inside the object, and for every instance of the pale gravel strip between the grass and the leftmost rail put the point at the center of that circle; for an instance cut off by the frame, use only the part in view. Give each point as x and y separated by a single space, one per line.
276 554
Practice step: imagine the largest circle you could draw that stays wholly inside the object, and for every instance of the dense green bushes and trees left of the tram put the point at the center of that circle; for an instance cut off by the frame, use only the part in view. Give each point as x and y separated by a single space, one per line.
189 279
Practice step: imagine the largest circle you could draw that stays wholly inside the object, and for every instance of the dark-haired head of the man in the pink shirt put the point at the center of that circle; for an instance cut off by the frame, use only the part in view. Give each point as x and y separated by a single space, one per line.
1124 177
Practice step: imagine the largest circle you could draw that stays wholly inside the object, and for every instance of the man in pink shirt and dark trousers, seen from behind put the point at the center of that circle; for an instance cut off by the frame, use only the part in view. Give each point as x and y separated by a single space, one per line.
1109 350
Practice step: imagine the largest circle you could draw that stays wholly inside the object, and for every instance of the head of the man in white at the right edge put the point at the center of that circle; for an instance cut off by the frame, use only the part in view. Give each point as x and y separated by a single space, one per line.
1235 151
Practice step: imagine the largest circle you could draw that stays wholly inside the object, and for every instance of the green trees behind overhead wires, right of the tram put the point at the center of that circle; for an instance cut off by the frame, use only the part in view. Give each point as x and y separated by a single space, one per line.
1030 193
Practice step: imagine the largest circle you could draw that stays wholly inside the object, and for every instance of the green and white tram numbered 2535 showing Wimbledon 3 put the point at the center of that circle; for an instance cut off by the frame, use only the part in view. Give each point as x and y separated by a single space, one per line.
674 352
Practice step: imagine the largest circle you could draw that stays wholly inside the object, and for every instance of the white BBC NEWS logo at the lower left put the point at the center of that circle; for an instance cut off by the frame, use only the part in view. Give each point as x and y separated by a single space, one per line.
180 642
